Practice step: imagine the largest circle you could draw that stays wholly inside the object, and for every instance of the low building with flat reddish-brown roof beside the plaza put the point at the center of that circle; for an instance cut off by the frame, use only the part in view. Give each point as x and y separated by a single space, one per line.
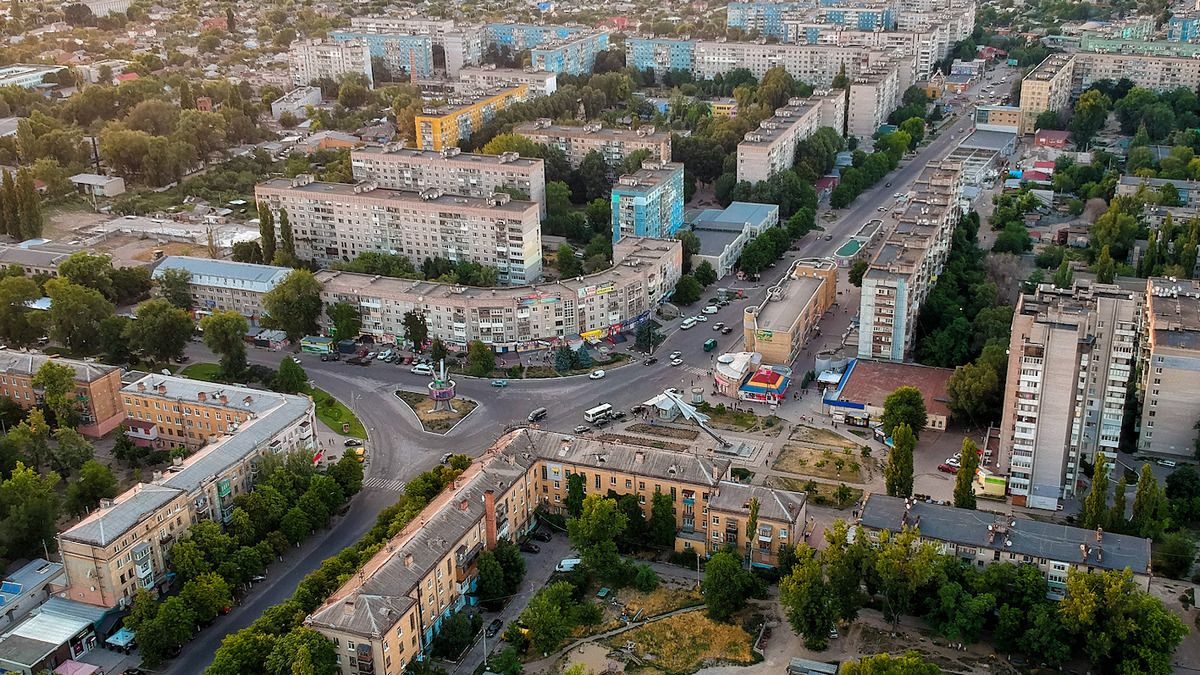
859 398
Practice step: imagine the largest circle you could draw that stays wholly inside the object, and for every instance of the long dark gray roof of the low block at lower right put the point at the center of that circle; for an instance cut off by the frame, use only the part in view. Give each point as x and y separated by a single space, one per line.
1028 537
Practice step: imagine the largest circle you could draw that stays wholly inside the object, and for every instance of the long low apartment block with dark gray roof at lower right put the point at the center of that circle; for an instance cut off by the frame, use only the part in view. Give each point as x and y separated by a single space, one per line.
980 539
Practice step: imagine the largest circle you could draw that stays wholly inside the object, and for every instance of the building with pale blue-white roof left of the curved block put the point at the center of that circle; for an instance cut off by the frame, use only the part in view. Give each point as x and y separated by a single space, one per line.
225 285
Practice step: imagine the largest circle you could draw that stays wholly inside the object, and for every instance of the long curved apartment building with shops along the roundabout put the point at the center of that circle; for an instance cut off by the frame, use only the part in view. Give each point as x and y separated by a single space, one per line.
517 318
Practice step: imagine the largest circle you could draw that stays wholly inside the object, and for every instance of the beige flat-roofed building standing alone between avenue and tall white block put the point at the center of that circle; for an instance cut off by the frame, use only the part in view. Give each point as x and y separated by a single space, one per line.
788 316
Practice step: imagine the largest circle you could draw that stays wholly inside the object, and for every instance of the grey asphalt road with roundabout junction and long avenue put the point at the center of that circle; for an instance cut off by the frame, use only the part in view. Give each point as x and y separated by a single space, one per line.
399 449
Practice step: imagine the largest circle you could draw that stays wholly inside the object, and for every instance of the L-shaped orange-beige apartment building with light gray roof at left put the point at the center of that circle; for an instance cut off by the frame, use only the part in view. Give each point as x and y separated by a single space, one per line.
123 546
